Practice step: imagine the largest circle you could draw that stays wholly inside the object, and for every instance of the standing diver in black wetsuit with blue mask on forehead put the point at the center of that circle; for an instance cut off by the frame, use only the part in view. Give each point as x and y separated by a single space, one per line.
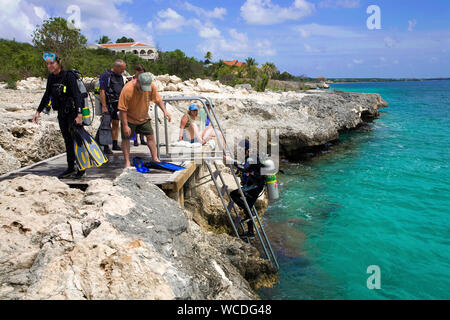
66 98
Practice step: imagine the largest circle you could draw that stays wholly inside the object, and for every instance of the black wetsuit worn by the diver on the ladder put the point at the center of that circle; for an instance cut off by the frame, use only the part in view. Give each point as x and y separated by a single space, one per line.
252 185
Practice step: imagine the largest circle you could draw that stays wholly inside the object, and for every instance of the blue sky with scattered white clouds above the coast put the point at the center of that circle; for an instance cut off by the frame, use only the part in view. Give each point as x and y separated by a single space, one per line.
311 37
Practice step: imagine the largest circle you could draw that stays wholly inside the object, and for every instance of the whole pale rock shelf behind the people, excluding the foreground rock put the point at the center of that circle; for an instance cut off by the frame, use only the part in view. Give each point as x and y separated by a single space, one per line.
305 119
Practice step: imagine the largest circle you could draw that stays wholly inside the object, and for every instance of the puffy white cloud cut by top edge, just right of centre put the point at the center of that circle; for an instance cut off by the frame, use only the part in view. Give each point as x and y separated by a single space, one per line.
264 12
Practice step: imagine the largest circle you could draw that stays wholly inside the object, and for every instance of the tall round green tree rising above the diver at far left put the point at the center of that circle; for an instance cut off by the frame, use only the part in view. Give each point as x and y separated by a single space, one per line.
55 35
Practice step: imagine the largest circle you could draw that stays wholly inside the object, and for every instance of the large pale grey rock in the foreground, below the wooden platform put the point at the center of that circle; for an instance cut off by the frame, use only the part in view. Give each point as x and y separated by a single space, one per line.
121 240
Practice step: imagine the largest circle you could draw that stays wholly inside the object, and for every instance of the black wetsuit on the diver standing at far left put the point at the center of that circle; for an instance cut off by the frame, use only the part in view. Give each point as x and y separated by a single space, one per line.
68 104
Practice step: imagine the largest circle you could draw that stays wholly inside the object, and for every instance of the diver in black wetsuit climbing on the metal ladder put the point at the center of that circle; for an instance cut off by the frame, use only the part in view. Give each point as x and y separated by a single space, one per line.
252 184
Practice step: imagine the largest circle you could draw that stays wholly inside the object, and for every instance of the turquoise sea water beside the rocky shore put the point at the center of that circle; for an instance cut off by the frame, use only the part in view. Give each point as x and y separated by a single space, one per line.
379 198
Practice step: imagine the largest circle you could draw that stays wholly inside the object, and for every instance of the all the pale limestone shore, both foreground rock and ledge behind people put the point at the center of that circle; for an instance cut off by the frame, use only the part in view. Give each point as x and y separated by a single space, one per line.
127 240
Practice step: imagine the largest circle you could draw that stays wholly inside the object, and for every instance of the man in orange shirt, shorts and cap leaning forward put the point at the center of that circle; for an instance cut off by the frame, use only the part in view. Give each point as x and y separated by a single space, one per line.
134 102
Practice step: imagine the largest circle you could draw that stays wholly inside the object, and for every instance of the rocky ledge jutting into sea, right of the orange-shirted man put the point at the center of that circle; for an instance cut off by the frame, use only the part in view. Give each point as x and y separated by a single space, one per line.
305 119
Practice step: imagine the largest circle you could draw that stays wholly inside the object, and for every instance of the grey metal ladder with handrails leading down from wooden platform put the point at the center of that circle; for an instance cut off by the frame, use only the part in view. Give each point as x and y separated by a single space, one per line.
222 188
